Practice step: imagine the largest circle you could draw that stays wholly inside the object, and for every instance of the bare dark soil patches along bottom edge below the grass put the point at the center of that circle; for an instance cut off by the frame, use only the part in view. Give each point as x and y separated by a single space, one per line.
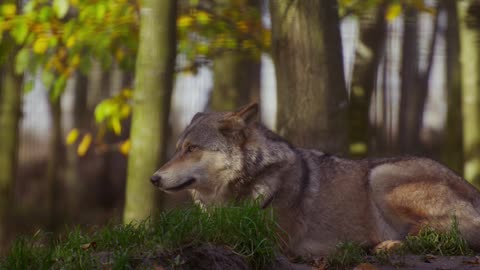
208 257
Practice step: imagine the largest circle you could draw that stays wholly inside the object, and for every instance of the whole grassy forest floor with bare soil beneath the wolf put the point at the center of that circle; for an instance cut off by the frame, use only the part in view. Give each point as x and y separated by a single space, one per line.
229 237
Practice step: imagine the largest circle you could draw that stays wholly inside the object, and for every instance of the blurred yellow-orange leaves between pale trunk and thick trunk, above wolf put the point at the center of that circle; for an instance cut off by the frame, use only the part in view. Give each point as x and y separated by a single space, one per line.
207 29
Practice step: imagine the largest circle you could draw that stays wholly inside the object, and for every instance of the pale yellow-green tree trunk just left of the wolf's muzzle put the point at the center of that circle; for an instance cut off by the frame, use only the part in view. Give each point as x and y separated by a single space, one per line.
153 85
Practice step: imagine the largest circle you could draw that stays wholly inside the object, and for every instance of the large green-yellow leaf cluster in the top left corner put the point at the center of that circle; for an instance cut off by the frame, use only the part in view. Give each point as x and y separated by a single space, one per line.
60 37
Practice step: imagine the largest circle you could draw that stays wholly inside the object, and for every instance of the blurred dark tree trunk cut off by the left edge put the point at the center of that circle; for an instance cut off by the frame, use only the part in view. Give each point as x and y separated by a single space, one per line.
10 112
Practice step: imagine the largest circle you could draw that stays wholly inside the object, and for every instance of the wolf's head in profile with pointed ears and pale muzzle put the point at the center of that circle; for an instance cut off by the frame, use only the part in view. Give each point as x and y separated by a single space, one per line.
209 152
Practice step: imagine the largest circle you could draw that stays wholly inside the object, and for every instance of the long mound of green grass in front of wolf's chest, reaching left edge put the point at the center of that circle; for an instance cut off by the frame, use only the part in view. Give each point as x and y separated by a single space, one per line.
246 229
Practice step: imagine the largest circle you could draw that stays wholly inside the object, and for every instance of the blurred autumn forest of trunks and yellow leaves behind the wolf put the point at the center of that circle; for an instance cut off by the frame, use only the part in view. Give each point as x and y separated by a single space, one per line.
93 93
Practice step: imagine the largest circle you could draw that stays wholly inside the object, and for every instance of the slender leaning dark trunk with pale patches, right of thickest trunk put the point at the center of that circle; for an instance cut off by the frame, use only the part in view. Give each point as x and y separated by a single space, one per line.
367 60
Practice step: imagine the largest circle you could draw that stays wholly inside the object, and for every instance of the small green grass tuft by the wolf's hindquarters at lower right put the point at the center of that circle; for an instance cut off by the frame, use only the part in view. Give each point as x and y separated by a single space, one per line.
429 241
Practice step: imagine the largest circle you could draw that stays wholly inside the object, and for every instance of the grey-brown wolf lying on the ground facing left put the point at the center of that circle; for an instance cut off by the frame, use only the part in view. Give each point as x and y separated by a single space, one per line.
319 199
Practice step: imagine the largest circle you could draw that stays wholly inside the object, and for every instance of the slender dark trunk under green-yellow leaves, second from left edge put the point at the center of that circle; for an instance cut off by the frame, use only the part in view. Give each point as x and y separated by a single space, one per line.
54 164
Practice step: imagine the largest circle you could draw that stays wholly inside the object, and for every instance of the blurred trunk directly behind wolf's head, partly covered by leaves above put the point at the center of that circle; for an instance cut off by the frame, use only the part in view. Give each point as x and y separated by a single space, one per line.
236 72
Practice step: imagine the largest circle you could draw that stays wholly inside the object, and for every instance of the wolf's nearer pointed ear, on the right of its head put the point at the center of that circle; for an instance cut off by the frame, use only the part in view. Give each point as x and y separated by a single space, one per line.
239 119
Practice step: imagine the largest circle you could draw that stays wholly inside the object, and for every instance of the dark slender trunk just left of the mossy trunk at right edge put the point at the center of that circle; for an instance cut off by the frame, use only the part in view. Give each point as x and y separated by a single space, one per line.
453 141
